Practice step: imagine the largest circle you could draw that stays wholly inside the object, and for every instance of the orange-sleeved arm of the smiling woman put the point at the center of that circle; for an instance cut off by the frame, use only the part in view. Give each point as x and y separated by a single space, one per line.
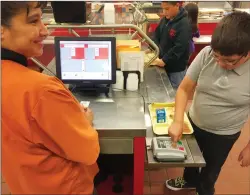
64 127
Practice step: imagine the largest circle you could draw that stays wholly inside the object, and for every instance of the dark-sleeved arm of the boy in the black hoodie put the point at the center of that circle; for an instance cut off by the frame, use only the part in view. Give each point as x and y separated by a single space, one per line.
182 41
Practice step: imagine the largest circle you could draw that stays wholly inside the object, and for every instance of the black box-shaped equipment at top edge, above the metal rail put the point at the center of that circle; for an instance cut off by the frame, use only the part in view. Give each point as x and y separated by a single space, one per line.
69 11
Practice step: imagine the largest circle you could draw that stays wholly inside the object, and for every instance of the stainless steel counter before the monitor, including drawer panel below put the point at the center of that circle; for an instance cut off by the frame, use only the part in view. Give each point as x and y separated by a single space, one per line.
117 119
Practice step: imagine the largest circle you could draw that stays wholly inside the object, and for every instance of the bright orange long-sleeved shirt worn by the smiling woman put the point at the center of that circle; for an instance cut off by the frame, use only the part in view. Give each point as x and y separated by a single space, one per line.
48 145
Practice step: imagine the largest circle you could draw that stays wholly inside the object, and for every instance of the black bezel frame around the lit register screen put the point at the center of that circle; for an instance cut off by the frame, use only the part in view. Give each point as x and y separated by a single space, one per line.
113 59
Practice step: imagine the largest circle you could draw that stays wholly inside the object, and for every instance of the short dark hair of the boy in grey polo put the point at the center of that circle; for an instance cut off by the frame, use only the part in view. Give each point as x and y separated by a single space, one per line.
232 35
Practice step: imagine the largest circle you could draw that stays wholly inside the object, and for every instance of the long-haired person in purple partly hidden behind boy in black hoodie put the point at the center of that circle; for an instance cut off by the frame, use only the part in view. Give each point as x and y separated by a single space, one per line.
193 11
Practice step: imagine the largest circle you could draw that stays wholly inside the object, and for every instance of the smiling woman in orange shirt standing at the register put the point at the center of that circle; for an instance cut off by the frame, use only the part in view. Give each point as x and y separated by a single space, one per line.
48 143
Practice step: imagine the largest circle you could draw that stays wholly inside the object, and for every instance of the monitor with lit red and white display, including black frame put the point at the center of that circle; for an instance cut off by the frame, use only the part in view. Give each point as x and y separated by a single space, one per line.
86 59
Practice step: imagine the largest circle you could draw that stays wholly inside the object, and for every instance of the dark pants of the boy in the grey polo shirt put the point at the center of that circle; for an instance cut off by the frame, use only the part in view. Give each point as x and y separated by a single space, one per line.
215 149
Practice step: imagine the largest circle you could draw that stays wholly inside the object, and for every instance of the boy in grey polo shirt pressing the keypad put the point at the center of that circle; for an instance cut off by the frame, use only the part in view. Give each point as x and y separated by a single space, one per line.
221 103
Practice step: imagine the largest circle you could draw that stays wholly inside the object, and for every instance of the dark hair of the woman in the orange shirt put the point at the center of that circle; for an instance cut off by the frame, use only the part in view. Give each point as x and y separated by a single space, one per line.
11 8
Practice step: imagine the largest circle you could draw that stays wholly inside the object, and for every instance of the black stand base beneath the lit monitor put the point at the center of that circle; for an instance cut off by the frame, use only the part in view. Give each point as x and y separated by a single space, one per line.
91 89
